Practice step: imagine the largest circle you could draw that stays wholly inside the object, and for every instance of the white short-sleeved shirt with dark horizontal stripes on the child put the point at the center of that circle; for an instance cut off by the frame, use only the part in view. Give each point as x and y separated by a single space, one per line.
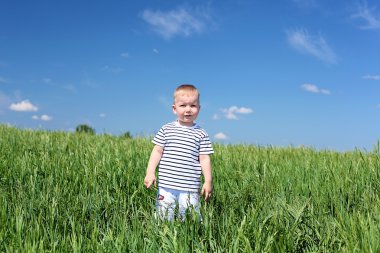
179 167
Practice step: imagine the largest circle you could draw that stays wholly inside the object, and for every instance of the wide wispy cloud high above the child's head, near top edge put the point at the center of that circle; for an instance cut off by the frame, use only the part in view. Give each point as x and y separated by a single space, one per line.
180 22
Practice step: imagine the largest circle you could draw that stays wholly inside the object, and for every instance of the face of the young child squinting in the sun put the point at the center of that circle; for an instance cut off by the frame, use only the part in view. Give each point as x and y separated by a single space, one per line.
186 107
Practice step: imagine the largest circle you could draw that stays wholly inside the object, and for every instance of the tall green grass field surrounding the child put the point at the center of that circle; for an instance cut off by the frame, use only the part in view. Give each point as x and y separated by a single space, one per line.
70 192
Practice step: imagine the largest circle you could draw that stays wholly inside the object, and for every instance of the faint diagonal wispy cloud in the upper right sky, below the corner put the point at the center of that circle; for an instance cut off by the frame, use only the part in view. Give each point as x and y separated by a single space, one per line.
316 46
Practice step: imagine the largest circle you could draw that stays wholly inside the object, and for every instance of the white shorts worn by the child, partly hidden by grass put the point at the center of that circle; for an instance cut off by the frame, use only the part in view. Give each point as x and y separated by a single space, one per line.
168 199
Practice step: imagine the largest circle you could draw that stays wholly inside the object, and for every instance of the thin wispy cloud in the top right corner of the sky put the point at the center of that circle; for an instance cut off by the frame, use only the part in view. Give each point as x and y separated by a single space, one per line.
367 14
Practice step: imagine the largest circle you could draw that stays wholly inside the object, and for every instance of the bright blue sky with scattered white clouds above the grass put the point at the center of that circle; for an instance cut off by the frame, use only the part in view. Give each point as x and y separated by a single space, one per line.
281 73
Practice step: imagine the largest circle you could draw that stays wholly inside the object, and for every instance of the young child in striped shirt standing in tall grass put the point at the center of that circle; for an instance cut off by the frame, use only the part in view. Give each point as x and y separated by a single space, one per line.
181 151
